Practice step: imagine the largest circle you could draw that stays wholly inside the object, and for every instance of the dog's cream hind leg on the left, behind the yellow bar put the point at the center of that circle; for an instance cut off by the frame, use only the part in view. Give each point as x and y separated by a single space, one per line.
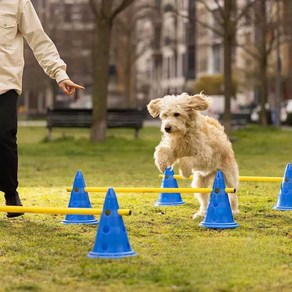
201 181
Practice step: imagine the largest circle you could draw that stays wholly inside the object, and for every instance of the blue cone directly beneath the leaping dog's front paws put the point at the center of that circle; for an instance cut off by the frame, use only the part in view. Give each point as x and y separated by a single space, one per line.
169 199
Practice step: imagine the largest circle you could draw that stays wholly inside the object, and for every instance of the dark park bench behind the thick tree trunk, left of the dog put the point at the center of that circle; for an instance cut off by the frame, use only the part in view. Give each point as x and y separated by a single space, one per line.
81 118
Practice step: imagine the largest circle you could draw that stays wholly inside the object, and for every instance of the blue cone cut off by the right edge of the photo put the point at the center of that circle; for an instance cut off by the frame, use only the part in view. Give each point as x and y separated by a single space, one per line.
284 202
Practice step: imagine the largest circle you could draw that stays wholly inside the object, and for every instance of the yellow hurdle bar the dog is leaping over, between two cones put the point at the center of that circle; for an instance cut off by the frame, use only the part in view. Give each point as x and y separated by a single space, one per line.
151 190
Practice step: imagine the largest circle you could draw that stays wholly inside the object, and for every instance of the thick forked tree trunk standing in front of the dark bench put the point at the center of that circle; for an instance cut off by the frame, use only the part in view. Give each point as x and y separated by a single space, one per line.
105 12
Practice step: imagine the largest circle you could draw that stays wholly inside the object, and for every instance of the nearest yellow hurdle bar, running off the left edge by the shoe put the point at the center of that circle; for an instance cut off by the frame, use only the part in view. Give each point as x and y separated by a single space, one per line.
61 211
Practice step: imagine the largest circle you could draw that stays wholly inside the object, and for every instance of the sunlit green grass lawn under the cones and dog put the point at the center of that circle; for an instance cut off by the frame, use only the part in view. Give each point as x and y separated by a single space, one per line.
38 253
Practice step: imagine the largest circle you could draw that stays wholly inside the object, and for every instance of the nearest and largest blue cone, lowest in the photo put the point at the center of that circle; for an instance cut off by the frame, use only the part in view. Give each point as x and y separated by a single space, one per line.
111 239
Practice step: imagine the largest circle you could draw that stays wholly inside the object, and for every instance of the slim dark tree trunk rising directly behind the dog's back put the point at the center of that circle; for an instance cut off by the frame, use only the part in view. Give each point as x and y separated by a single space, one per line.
228 42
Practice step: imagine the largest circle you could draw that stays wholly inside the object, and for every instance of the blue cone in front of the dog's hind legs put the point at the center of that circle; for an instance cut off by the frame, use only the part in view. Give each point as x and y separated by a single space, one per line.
219 214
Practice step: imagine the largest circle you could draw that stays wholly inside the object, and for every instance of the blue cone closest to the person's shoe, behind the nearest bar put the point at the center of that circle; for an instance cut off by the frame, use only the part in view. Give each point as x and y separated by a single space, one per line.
79 199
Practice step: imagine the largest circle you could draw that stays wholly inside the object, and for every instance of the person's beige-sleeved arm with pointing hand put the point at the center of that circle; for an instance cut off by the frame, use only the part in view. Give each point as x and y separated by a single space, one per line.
44 49
